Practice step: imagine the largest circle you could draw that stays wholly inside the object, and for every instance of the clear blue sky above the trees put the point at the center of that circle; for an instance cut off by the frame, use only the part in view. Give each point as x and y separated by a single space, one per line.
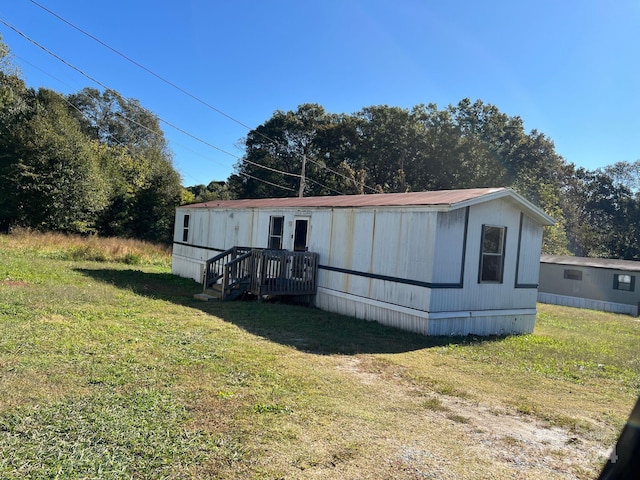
570 69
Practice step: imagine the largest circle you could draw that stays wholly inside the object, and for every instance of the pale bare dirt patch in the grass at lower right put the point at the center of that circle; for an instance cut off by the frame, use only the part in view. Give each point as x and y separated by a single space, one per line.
497 435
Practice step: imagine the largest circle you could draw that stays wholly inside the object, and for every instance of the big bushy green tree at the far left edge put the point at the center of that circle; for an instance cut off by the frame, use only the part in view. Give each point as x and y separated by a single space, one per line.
50 169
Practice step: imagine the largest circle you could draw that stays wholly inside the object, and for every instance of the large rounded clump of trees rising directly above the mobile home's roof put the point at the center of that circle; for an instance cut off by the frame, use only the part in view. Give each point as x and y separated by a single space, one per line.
391 149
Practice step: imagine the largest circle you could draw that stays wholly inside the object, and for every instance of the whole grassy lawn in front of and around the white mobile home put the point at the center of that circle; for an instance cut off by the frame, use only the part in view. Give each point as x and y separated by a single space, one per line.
109 368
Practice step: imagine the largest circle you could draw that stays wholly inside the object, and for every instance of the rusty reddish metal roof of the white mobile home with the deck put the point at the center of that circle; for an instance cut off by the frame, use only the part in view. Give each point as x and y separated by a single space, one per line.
447 199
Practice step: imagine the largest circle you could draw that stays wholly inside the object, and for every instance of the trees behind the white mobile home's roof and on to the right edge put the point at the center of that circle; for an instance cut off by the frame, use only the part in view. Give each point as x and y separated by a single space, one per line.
471 144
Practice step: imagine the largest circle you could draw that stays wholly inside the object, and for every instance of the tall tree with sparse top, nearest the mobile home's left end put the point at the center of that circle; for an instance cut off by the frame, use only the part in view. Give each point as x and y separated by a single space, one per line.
145 188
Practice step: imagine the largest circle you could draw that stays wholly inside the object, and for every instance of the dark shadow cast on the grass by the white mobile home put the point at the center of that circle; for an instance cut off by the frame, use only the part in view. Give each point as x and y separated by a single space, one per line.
304 328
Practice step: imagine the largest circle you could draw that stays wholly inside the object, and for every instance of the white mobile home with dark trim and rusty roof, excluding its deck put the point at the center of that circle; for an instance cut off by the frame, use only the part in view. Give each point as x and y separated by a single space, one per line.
452 262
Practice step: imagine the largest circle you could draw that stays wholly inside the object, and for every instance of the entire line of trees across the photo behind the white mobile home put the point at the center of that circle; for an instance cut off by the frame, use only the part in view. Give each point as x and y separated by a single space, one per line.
93 162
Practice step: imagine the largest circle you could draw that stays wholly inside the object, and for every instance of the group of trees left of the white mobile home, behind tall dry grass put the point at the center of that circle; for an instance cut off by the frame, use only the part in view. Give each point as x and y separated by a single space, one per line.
88 163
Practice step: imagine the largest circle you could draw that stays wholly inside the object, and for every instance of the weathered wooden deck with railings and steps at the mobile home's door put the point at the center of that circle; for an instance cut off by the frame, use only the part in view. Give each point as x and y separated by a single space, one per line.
261 272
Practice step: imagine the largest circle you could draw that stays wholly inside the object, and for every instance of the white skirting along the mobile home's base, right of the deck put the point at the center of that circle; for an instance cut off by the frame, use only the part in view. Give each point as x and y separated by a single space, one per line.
494 322
